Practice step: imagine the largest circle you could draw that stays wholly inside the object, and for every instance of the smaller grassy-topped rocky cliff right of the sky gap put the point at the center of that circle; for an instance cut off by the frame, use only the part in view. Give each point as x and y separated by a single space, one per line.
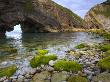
99 16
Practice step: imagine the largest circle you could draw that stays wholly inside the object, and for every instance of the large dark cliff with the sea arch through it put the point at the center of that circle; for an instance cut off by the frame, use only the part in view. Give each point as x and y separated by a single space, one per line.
37 16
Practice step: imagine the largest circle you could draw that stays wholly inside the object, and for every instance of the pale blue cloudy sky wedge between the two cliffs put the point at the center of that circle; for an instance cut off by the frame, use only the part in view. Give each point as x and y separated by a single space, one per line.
80 7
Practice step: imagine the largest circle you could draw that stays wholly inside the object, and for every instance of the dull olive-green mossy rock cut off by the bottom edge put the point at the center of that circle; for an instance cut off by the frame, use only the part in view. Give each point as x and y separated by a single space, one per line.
77 79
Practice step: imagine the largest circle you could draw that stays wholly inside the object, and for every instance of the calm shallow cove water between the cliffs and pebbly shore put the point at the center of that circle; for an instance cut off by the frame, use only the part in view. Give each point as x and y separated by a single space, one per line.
55 42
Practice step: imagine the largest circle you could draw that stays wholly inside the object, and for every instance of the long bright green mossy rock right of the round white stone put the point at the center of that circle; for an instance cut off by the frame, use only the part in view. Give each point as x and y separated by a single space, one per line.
67 66
